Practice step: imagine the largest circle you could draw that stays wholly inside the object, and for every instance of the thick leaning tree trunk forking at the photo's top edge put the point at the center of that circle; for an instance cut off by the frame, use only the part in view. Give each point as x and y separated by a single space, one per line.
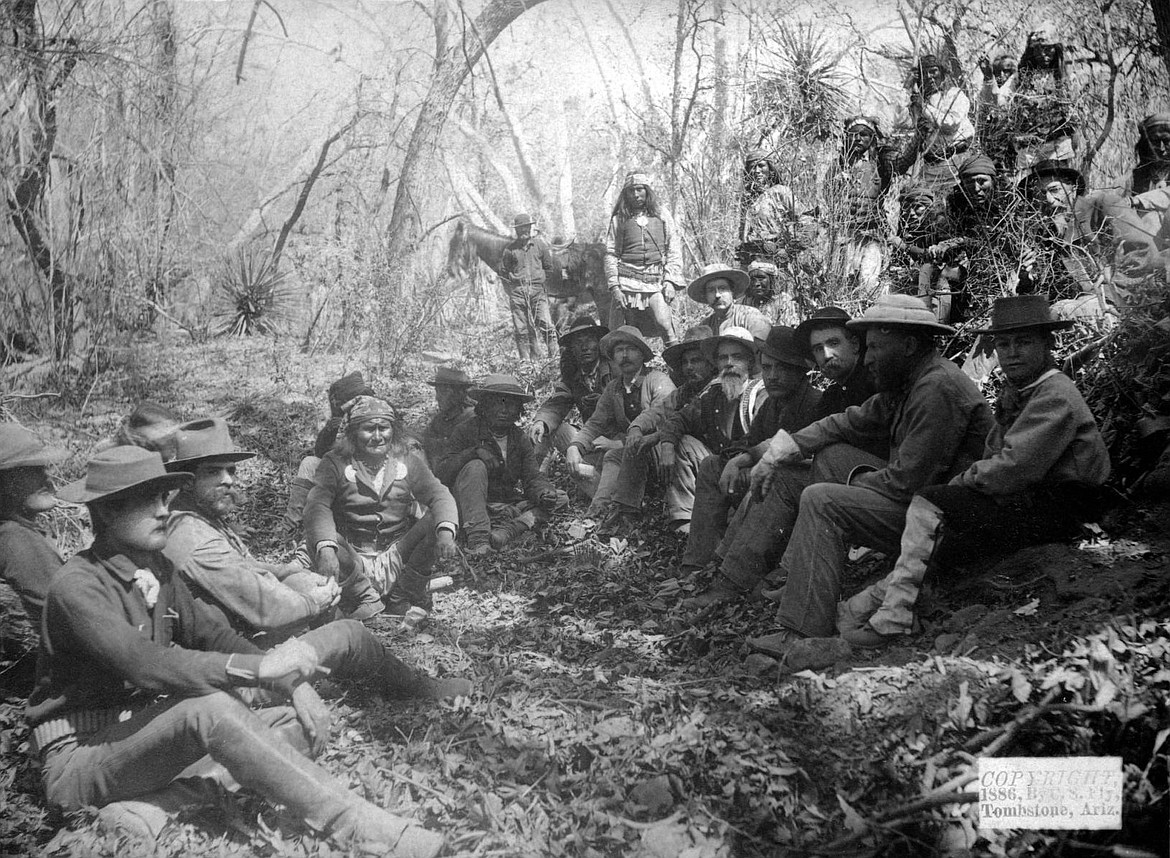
452 67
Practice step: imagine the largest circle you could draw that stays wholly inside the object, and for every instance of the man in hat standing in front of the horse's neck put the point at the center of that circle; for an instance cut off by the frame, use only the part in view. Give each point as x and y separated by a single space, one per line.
525 267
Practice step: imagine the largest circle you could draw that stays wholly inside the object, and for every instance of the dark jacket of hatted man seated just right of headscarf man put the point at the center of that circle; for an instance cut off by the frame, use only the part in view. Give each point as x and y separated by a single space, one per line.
520 466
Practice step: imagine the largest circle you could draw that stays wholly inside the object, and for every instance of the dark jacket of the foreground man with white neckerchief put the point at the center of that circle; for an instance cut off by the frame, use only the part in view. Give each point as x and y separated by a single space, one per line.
104 649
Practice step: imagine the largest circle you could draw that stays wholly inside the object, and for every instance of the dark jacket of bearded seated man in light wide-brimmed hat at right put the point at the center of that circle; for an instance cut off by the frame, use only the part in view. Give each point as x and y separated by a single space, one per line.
935 427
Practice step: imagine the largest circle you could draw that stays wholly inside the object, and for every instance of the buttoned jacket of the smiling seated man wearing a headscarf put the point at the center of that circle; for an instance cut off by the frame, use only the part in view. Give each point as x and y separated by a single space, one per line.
346 505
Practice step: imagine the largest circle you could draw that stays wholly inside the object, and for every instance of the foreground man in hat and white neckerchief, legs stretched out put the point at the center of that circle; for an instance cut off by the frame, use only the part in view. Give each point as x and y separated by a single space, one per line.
140 685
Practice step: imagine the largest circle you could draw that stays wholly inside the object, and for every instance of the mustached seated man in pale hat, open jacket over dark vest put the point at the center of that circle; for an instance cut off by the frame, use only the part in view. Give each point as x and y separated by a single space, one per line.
624 403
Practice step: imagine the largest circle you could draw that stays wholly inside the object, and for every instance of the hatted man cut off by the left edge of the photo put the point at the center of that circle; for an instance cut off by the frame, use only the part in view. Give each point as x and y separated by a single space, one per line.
27 558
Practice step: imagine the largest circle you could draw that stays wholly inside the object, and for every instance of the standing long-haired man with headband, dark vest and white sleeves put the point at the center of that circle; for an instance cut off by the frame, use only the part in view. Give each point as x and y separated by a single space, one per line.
643 260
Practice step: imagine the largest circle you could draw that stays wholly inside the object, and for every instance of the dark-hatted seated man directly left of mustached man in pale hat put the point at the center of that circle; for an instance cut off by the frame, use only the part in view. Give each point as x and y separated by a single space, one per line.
584 375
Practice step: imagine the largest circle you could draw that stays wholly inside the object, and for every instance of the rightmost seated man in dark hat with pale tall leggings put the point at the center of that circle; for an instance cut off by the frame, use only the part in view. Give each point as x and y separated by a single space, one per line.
1038 479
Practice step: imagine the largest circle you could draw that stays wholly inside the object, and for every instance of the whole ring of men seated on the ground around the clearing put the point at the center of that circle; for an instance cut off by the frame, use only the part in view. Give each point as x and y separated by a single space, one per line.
171 656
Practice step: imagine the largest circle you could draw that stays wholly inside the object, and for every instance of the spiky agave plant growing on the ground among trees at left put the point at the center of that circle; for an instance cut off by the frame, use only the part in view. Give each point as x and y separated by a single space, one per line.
253 293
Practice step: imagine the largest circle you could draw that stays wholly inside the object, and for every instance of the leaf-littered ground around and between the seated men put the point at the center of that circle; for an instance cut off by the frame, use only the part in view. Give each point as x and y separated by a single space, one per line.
609 722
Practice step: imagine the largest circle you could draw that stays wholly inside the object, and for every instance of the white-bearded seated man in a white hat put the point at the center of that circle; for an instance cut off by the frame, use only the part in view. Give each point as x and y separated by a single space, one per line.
712 422
